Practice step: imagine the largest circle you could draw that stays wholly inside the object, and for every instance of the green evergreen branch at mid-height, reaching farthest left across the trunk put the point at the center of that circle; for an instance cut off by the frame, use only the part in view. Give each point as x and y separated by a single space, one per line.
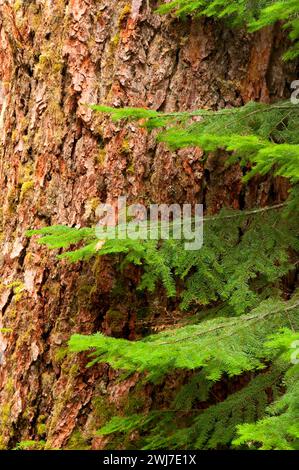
236 271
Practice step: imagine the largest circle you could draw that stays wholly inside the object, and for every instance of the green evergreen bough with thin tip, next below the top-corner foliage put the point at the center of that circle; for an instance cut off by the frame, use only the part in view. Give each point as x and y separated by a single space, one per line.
265 135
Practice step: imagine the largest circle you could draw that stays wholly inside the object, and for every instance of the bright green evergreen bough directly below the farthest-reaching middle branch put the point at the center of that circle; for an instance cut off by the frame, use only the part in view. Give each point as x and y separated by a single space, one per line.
219 346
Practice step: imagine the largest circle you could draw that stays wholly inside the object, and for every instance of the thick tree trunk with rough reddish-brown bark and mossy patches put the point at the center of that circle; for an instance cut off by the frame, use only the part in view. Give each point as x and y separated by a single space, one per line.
58 161
